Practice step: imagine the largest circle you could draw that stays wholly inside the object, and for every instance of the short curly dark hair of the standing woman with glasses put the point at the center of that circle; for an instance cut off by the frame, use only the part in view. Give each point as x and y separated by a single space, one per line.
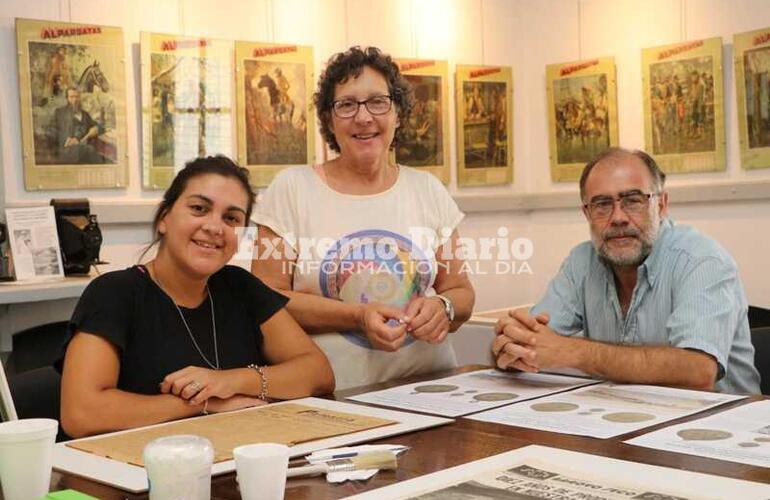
350 63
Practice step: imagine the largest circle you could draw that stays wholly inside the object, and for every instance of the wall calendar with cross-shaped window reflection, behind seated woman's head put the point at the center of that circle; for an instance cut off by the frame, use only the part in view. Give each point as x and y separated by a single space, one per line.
187 103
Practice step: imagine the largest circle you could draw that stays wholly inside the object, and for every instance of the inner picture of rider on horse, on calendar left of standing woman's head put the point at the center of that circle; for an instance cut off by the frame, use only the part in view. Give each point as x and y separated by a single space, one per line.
276 100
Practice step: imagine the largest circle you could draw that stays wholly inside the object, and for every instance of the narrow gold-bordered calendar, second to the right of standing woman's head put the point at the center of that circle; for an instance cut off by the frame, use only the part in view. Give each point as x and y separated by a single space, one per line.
484 113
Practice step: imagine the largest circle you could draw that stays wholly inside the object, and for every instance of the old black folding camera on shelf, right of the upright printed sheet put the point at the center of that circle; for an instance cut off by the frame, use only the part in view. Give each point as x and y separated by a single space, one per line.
80 237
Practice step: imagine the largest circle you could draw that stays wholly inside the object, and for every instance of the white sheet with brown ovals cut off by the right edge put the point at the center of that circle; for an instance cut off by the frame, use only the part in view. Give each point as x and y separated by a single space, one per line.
740 435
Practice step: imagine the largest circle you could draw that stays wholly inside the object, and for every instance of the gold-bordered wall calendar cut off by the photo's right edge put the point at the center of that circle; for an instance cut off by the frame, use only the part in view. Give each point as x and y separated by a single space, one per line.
752 84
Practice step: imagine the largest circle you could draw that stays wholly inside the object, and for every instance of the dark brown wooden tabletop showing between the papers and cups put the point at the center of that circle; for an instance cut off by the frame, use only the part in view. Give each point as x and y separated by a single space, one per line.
457 443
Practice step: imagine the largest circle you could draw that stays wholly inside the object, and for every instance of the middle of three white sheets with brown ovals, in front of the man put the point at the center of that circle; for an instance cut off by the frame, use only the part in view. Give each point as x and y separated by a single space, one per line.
606 410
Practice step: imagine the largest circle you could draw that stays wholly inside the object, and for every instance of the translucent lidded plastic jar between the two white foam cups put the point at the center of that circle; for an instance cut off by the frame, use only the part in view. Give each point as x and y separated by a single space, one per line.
179 467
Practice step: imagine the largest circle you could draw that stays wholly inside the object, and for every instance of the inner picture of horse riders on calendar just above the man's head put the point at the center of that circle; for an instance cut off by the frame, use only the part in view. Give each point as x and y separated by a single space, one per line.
582 117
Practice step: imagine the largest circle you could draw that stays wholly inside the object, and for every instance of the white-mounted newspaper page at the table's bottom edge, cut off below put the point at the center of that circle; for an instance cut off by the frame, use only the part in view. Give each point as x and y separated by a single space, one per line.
540 472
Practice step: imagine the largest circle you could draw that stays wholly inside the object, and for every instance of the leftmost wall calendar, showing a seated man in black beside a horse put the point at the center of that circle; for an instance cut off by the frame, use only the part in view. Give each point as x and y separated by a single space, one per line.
72 89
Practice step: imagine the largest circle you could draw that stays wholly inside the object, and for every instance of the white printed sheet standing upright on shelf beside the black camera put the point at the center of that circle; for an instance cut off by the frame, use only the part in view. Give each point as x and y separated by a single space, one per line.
34 243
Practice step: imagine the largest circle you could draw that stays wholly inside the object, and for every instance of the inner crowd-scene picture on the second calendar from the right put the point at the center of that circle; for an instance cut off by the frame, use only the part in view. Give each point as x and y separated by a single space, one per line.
682 106
